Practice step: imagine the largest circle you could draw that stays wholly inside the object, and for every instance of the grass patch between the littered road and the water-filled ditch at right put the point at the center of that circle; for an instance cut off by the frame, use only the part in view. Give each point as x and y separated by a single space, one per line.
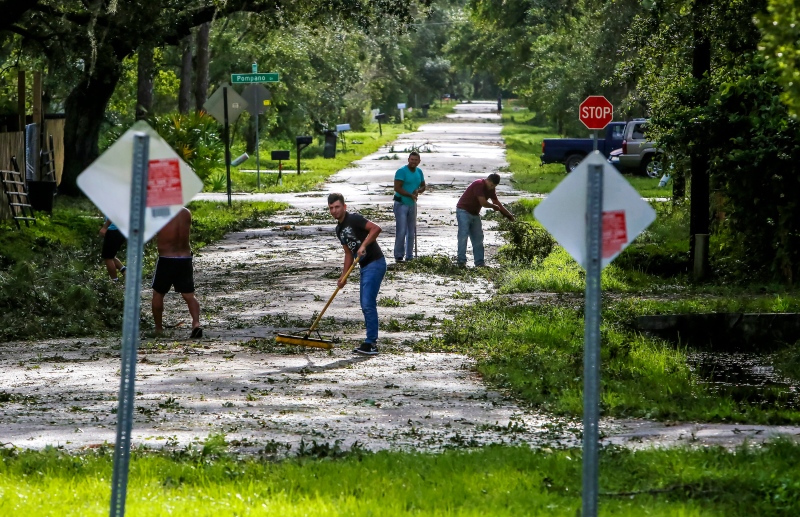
536 351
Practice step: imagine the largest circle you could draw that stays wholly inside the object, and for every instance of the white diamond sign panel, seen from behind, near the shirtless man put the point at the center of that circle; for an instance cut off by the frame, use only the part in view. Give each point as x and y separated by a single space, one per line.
171 183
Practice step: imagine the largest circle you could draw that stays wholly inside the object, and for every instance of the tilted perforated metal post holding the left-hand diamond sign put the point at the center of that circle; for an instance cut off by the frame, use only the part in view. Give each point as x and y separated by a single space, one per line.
130 326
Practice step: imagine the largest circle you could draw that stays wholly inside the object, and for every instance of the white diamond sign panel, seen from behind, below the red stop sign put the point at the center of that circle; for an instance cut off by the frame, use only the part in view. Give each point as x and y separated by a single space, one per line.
625 213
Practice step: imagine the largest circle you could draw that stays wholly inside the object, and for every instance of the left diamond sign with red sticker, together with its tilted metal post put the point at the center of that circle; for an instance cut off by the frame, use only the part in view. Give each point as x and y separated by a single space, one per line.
140 183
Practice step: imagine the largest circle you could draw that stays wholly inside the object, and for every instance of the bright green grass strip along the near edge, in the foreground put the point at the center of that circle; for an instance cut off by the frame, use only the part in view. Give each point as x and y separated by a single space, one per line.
496 480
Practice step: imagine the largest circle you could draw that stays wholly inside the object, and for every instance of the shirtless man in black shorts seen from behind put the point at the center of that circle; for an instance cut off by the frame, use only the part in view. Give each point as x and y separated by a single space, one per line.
174 267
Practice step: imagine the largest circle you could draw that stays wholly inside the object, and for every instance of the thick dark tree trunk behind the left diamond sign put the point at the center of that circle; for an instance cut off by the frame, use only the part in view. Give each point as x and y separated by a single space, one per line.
85 108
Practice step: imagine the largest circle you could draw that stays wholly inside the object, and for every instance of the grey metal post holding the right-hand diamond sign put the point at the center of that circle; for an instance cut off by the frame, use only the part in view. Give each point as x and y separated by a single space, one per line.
591 333
